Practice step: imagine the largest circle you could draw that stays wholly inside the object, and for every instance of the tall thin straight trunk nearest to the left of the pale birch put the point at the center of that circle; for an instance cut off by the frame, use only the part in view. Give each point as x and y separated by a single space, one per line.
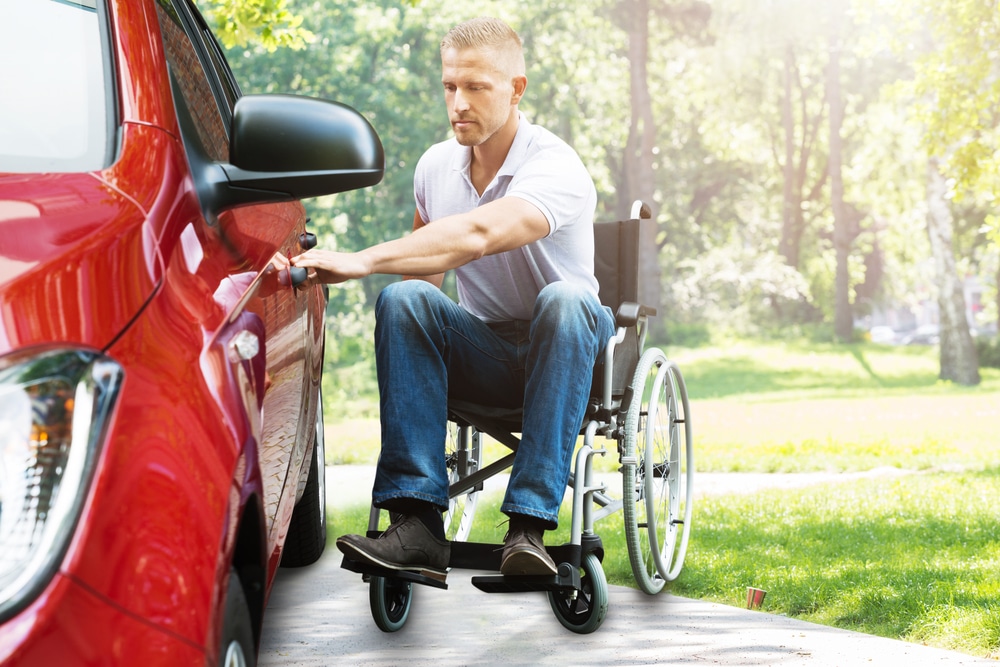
843 224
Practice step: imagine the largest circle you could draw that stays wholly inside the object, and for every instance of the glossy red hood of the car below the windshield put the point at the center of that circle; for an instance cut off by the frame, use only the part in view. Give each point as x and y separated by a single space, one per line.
75 242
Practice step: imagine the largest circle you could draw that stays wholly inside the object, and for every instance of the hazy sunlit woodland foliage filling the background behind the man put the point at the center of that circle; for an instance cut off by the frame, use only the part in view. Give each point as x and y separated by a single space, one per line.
732 145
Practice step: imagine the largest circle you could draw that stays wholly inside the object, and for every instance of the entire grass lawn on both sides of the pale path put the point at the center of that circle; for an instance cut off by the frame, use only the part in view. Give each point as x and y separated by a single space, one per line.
912 556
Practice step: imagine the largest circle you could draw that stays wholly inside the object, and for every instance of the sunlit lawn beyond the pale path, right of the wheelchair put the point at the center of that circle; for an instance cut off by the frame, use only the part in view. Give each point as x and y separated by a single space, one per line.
784 407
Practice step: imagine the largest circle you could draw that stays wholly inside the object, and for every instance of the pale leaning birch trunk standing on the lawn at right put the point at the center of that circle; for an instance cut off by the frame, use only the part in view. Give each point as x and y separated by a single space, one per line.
959 362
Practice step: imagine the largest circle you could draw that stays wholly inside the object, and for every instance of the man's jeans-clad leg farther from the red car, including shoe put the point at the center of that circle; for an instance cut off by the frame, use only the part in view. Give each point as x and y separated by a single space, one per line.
569 329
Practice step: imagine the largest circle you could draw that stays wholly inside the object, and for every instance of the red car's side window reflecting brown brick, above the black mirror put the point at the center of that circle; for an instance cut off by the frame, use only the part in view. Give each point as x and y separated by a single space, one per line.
195 85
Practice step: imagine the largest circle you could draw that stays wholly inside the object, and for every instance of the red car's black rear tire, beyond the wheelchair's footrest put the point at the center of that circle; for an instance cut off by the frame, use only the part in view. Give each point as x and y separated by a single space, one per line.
306 538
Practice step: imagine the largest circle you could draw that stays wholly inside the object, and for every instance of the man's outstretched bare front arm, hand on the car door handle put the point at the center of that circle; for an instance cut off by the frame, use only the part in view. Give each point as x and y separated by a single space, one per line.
432 249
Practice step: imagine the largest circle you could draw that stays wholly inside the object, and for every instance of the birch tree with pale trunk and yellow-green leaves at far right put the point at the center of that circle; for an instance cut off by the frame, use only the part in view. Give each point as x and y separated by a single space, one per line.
956 84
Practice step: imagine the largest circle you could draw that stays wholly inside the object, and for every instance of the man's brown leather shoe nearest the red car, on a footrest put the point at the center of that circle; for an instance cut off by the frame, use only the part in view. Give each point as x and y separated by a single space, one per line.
405 545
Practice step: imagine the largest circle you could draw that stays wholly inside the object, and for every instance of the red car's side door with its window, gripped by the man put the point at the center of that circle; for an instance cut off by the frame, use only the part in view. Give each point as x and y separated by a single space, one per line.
267 324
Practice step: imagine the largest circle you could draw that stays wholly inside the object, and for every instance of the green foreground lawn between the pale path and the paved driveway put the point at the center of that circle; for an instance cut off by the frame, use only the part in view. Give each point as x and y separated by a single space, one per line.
913 557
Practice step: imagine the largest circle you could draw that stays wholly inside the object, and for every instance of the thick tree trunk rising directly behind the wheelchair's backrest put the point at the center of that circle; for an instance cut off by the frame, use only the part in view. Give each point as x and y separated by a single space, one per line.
637 162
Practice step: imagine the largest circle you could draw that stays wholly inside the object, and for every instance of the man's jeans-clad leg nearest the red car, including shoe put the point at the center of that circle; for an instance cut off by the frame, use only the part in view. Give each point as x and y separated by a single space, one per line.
422 338
